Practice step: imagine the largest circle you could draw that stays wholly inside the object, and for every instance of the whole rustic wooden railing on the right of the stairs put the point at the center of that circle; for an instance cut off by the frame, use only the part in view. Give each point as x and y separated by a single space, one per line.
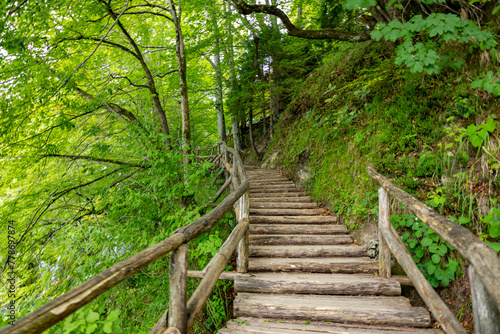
484 268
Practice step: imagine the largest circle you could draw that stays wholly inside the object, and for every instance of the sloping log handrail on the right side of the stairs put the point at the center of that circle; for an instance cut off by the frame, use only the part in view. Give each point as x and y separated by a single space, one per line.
479 254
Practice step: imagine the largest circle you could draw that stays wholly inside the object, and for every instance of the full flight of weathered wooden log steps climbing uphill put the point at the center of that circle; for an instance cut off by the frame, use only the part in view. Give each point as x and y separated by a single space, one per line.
307 276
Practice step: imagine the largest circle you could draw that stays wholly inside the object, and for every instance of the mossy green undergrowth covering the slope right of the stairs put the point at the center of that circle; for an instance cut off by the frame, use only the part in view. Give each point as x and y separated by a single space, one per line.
433 135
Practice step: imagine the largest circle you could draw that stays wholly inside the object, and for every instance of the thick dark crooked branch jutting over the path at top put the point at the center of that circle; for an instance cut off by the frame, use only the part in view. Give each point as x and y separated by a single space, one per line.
339 35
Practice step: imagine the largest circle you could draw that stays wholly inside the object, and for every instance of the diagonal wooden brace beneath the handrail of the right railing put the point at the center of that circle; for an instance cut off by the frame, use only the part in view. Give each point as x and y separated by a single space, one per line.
438 308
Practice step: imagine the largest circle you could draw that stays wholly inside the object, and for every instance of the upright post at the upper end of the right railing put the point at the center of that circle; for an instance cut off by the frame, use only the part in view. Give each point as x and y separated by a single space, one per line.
384 222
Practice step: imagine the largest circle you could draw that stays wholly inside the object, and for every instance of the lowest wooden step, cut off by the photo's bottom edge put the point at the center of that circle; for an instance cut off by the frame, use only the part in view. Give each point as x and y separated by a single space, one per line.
274 326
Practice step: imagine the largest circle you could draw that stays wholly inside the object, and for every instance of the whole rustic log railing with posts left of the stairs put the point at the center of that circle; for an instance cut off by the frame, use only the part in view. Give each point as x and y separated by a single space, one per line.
181 313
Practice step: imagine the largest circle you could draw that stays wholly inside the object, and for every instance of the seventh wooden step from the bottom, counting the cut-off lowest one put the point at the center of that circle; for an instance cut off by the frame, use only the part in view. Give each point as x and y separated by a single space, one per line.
297 229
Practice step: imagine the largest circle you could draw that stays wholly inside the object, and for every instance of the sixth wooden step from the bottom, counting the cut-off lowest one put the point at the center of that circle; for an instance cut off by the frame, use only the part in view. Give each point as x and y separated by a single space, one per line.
299 239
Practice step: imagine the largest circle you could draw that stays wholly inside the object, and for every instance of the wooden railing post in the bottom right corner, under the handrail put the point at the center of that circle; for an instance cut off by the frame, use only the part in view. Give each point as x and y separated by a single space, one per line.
486 314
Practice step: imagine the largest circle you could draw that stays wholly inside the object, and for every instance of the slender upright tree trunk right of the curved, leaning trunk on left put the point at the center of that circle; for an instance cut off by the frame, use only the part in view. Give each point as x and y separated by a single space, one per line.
181 61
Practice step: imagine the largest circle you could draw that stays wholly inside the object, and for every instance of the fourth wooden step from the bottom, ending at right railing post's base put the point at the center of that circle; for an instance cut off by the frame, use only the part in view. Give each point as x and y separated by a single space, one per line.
317 265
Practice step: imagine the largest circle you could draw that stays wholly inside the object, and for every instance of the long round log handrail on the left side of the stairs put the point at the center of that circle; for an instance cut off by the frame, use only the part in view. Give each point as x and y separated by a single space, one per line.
63 306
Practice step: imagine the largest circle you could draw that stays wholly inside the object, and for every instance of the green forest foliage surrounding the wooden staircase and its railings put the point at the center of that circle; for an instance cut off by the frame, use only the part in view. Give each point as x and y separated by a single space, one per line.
102 103
